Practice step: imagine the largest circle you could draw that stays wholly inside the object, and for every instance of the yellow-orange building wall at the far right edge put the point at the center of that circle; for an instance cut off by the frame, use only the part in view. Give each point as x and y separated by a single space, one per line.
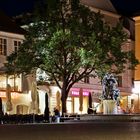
137 46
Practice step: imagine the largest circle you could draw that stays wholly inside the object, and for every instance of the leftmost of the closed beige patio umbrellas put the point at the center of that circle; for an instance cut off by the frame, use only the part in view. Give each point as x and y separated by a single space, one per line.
8 96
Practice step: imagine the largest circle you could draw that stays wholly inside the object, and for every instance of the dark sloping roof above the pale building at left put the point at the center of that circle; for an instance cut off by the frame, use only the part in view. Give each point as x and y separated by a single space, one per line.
8 25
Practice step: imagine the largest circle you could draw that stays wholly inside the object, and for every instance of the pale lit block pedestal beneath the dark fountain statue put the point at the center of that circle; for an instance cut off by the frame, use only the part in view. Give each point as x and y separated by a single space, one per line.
109 107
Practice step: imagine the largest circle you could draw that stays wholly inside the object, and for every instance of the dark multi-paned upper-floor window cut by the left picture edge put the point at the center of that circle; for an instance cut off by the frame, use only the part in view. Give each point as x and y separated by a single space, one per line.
3 46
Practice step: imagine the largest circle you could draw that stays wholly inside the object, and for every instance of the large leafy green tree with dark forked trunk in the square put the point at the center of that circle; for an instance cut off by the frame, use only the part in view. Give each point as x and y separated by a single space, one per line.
70 42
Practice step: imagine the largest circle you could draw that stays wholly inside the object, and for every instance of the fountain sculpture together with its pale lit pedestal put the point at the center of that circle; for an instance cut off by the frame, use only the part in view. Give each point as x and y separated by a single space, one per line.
110 94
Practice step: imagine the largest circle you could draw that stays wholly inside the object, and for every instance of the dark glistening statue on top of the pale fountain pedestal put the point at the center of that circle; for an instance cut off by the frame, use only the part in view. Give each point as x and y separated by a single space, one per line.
110 90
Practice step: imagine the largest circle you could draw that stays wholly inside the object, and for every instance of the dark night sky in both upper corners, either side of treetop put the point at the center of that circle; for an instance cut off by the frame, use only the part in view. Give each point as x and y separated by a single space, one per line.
16 7
